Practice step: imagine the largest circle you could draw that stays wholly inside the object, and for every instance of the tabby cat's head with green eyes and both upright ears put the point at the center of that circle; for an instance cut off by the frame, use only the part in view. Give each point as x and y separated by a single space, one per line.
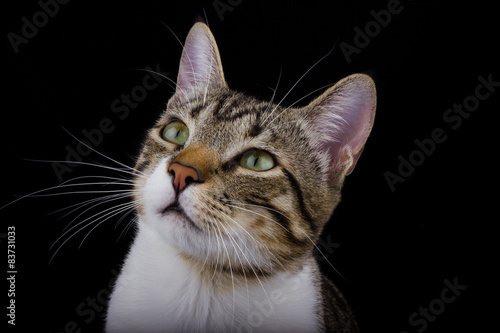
236 183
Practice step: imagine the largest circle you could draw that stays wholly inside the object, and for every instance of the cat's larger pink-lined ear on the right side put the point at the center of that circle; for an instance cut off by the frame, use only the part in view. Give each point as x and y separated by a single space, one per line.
343 118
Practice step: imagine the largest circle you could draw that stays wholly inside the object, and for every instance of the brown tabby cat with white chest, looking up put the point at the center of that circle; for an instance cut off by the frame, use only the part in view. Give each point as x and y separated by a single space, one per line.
231 194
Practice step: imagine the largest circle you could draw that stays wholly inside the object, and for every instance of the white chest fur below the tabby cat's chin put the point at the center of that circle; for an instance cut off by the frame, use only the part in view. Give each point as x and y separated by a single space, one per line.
158 292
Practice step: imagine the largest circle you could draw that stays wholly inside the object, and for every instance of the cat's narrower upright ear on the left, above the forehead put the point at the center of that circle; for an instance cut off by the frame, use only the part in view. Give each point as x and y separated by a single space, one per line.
200 66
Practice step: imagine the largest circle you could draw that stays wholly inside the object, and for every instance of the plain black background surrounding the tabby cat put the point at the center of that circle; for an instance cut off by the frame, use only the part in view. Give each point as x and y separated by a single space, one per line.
394 247
